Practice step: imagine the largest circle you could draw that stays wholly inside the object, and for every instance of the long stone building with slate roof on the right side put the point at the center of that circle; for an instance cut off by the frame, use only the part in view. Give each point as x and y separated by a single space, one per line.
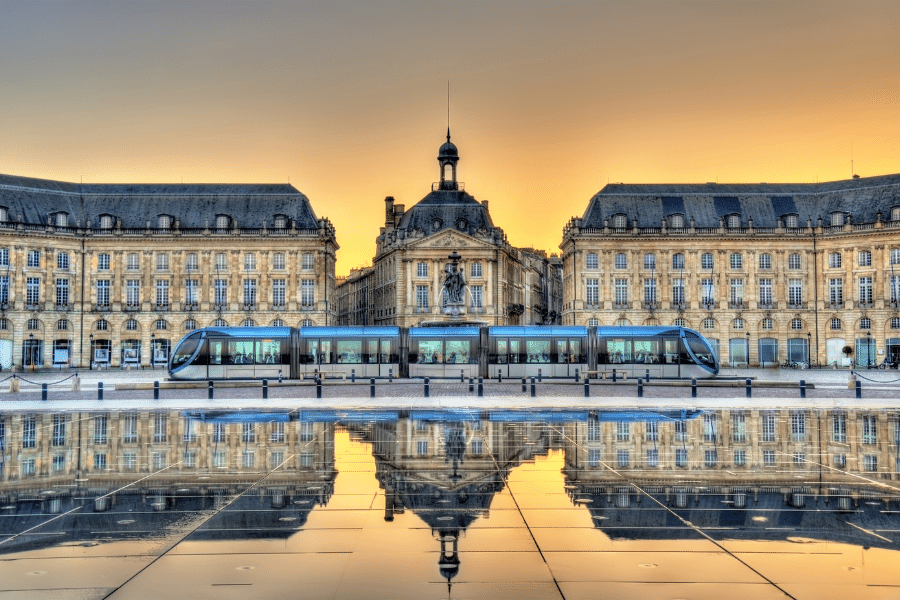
767 272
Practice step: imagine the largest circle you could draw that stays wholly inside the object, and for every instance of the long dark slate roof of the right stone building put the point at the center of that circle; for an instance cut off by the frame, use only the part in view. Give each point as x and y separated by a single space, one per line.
765 202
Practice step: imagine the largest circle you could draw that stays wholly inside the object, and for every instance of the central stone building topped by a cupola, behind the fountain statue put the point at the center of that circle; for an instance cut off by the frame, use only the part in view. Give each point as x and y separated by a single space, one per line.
503 285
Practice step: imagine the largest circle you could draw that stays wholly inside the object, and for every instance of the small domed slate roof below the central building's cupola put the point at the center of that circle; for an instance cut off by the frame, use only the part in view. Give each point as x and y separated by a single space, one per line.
453 209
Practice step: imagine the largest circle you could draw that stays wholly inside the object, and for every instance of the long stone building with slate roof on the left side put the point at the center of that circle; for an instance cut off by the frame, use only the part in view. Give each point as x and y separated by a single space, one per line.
97 274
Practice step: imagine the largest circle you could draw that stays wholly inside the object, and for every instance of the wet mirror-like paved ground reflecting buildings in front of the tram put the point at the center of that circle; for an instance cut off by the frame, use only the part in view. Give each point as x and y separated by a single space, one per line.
454 496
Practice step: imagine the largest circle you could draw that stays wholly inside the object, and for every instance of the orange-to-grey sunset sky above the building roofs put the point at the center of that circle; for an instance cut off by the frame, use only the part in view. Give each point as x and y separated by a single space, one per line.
549 101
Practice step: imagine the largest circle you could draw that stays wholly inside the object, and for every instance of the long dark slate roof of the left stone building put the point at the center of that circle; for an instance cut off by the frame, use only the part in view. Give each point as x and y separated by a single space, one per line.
135 204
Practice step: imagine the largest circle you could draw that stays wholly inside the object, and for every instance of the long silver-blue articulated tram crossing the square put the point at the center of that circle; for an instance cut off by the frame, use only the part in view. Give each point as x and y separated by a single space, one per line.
468 351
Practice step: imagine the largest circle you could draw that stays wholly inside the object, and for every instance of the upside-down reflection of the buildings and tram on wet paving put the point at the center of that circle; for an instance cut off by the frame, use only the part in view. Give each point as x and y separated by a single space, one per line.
748 474
